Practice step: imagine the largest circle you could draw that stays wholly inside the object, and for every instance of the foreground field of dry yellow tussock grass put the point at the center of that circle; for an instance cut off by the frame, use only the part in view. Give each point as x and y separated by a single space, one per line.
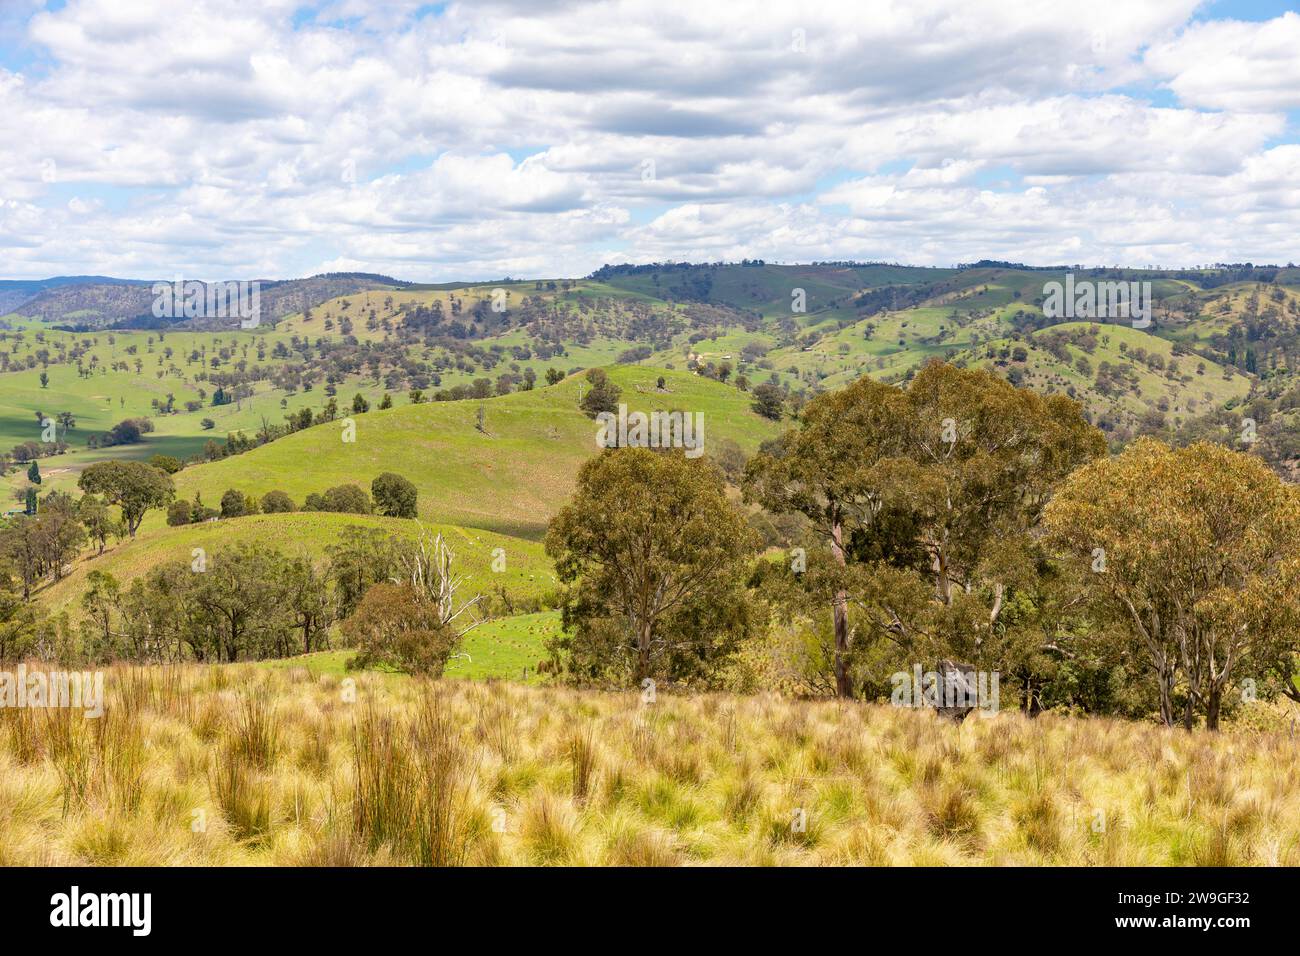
252 765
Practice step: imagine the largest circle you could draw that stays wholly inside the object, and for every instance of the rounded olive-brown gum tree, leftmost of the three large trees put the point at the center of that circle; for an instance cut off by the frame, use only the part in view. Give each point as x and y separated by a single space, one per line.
655 556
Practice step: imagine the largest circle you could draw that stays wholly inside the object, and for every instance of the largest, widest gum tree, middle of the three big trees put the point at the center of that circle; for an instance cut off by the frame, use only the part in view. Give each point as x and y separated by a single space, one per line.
956 469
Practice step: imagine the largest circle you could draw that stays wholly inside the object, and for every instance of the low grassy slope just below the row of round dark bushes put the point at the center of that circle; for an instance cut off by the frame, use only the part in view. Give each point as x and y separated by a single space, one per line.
528 572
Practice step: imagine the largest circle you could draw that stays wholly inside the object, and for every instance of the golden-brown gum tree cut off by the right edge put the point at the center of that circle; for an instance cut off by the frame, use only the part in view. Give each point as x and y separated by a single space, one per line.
1197 553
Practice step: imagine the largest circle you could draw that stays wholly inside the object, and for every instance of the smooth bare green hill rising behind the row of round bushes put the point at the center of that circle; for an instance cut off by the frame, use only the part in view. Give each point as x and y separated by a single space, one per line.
509 478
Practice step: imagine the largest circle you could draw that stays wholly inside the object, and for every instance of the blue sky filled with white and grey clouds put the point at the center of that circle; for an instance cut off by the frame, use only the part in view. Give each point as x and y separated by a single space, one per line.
226 139
